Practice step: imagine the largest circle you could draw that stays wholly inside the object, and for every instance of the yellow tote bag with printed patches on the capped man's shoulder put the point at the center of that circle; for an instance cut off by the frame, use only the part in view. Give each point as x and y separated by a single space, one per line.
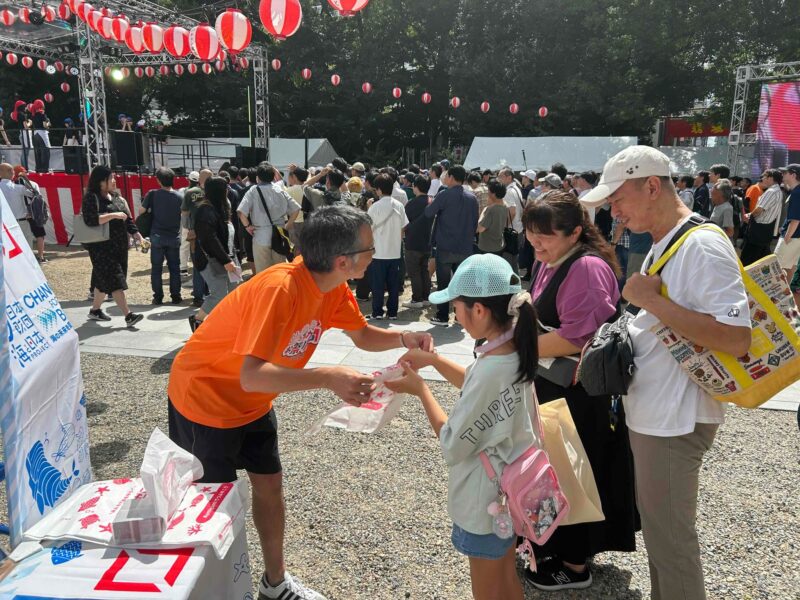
773 361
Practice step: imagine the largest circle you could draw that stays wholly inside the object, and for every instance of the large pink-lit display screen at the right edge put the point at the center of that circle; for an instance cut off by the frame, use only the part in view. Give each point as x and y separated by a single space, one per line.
778 127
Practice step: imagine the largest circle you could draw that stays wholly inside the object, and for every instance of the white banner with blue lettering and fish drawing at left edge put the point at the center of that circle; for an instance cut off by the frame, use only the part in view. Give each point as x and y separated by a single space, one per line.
42 406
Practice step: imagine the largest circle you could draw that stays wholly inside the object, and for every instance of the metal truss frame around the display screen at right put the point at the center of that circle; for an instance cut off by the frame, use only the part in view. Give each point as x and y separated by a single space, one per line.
745 75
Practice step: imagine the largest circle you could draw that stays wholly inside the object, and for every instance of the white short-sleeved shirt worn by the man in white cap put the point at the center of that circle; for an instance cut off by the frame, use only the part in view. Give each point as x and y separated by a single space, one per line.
703 276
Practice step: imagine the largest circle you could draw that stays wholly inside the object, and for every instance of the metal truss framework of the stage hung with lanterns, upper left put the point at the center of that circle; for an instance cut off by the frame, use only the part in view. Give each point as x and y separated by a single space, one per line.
93 54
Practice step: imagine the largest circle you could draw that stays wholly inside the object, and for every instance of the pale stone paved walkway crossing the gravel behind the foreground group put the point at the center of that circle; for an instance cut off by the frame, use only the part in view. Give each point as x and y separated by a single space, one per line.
165 330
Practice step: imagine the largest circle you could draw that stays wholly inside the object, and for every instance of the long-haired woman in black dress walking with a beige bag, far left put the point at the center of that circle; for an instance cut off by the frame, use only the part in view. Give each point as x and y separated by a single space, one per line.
109 258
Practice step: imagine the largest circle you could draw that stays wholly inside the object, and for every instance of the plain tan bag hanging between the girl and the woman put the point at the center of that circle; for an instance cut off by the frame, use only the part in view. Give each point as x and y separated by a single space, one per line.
568 457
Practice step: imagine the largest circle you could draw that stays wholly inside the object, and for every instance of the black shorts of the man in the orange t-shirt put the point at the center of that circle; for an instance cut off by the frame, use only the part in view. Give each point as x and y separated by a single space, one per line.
253 447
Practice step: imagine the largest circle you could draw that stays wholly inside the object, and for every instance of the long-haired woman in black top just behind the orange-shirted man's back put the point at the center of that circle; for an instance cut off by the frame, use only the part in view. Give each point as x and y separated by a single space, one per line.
213 253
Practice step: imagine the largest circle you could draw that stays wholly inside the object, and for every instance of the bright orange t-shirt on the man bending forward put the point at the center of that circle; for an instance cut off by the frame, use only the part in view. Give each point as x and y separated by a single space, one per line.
278 316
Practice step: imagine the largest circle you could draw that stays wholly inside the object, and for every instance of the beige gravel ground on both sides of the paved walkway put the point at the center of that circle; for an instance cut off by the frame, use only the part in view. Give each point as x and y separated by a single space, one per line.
367 513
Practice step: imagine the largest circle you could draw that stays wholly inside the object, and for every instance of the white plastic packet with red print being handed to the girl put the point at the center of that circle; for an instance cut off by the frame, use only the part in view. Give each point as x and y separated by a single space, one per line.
371 416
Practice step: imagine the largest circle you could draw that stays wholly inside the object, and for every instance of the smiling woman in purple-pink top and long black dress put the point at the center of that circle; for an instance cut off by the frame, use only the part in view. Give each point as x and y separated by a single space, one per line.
574 289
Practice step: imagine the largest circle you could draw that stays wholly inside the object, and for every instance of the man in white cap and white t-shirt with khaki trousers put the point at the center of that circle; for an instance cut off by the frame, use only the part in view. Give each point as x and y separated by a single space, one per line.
672 422
